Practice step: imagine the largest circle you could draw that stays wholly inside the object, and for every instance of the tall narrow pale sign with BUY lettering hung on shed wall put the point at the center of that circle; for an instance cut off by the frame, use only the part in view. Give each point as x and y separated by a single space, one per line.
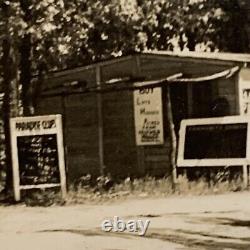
148 116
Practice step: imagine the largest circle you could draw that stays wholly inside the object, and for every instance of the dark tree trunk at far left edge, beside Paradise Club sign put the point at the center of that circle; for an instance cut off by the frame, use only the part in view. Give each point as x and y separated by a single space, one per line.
10 89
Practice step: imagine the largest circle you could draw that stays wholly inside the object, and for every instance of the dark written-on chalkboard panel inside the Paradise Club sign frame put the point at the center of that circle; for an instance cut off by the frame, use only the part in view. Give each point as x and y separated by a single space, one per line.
38 159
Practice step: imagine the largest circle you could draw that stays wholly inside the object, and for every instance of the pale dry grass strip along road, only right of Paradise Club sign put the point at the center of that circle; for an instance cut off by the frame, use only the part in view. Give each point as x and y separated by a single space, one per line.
152 187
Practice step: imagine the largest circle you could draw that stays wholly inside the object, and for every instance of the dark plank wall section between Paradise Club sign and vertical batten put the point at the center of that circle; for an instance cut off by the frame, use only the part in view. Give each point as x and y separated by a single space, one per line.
81 135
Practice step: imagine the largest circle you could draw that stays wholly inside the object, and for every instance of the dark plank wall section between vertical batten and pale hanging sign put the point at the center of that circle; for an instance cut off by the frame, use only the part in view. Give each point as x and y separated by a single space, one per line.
120 154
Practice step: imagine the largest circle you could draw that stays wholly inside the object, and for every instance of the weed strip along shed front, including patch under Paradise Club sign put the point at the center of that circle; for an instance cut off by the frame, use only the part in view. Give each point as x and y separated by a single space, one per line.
104 189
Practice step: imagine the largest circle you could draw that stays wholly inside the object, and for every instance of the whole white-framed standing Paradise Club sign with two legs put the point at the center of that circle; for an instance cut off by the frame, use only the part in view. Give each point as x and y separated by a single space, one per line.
37 153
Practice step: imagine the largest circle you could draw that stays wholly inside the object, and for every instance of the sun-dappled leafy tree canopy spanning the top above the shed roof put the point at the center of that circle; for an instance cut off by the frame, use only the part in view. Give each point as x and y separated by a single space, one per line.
61 33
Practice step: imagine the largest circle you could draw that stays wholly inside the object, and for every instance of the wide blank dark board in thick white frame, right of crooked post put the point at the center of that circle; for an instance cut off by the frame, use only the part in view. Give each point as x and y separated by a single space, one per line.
214 142
